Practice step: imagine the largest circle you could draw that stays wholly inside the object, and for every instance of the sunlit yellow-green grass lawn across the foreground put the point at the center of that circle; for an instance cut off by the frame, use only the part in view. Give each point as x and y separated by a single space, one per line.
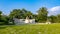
31 29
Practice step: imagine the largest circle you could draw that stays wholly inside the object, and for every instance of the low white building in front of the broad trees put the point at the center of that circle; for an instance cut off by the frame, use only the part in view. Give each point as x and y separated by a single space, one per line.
23 21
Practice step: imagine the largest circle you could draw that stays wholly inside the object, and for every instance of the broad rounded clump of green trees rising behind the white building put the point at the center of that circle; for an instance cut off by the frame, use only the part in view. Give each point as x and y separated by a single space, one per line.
20 14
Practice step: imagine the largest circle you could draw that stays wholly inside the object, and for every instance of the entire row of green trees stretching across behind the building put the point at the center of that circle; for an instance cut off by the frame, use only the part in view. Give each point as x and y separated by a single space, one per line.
41 17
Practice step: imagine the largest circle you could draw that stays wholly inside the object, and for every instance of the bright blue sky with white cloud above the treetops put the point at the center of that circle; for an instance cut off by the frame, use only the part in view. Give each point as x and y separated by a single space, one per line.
53 6
